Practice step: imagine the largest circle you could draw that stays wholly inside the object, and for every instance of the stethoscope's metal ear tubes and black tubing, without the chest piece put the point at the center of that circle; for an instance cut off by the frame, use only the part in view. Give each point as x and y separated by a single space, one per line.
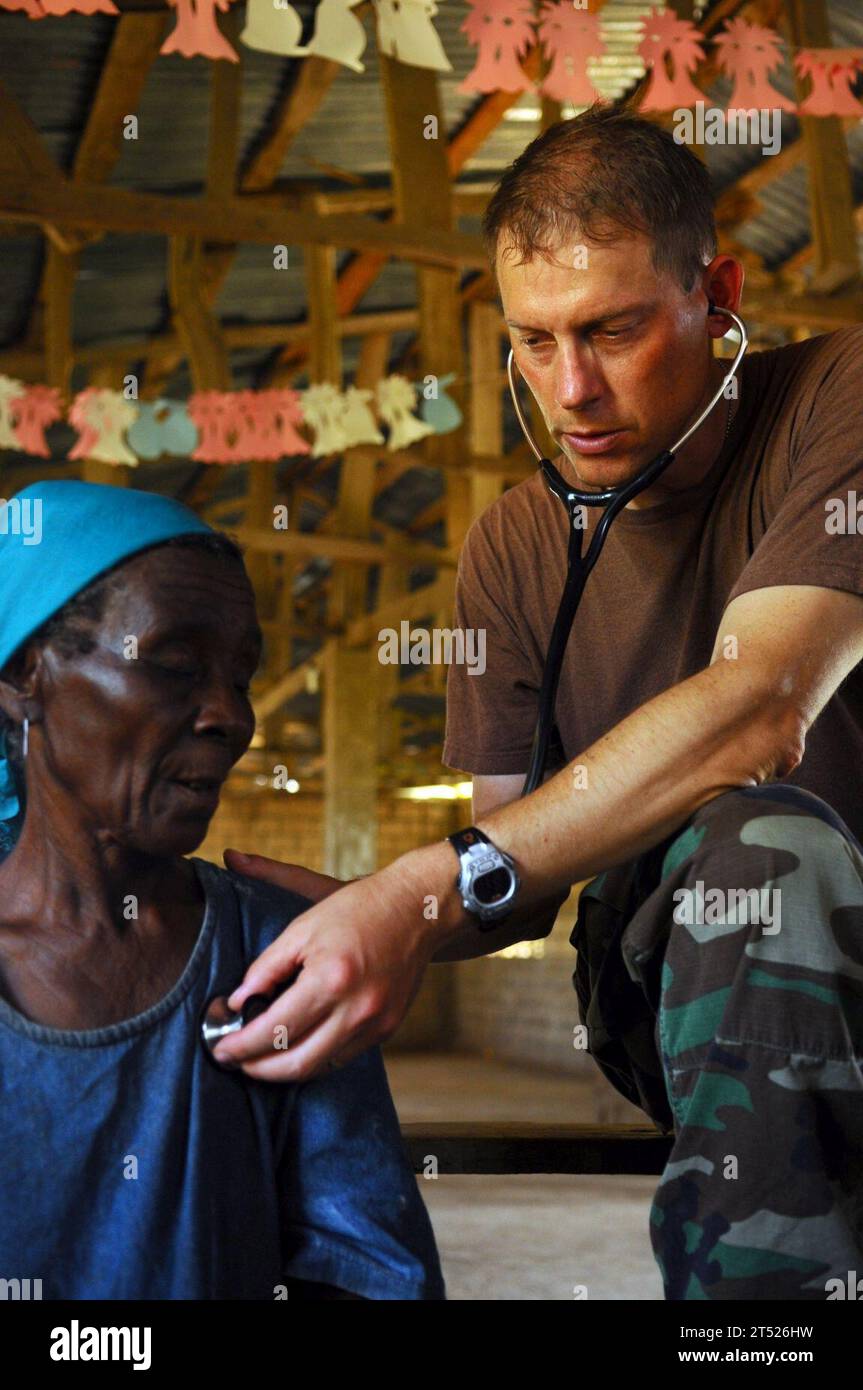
579 568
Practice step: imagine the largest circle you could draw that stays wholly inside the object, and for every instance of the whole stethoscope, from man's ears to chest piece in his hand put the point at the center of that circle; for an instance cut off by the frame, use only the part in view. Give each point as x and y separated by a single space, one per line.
217 1020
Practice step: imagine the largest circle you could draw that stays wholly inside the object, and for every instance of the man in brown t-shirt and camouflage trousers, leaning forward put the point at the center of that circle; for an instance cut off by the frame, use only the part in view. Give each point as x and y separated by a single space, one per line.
711 721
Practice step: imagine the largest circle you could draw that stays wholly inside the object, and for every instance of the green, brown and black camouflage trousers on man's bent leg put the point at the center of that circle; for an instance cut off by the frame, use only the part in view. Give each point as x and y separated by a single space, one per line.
721 978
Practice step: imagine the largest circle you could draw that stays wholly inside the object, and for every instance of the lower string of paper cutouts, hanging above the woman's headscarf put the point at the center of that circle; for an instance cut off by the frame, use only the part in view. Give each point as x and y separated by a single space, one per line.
227 426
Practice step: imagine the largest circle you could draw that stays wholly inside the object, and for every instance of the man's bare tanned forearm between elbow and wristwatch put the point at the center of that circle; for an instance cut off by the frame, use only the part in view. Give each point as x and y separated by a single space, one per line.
651 774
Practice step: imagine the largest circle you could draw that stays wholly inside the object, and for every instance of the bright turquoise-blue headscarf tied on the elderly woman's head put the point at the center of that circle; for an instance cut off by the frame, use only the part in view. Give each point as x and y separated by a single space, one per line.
55 540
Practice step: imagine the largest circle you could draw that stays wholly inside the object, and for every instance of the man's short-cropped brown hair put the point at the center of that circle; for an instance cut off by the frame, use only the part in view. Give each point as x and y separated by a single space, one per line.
597 176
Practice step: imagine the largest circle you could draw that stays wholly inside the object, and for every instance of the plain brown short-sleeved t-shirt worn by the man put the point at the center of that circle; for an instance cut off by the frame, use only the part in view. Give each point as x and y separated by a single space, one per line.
654 603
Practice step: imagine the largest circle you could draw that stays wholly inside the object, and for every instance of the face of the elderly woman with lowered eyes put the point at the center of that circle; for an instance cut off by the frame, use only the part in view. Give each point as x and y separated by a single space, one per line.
137 737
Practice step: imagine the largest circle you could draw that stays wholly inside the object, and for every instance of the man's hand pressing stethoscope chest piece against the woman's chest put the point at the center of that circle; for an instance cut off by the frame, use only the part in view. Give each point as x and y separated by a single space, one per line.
362 951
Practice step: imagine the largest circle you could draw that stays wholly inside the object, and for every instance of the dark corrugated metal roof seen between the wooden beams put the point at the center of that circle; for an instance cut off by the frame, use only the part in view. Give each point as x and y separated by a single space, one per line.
54 69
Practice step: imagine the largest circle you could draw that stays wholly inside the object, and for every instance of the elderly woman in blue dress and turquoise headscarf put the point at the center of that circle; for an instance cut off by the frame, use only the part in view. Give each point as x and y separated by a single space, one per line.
130 1166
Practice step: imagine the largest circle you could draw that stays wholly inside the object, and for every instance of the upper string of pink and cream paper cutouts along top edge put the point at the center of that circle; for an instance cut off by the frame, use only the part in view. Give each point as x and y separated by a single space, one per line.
502 31
